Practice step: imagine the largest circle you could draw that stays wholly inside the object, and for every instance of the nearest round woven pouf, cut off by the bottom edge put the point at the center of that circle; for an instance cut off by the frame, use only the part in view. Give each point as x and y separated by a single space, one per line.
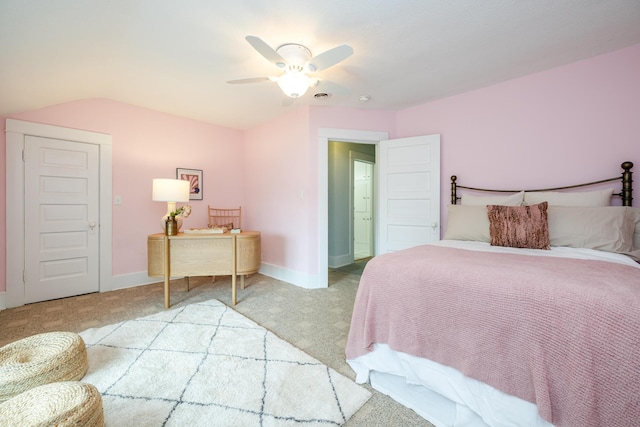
69 403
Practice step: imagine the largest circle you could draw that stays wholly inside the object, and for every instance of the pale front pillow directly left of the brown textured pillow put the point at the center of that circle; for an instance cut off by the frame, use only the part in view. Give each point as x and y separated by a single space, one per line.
467 223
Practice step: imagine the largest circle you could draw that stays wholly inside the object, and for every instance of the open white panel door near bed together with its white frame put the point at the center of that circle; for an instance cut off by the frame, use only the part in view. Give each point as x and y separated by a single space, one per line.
420 151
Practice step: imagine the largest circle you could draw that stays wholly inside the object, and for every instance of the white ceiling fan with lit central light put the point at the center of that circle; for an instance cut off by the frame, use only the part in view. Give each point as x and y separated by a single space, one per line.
295 61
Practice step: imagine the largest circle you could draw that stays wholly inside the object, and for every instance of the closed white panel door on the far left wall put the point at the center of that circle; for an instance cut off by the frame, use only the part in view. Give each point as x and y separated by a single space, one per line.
61 218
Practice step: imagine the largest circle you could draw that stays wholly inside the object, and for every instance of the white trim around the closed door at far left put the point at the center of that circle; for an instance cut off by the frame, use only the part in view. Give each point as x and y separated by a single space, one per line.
14 211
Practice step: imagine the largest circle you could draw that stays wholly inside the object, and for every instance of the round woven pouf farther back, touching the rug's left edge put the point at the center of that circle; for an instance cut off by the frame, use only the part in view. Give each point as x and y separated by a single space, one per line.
41 359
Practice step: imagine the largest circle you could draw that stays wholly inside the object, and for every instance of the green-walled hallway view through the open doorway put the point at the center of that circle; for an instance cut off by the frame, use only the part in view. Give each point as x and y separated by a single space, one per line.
351 203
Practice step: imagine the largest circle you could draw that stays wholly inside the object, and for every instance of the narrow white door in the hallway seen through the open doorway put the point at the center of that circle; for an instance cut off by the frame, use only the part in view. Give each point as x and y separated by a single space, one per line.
362 209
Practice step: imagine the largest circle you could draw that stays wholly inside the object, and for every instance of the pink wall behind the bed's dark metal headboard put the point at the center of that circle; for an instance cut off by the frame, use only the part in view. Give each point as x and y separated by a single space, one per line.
568 125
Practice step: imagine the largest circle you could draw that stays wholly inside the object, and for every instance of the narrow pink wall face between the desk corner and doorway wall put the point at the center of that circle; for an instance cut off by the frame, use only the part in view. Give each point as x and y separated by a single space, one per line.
277 157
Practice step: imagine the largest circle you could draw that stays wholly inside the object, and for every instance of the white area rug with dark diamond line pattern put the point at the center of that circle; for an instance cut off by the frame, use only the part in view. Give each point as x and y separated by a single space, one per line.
205 364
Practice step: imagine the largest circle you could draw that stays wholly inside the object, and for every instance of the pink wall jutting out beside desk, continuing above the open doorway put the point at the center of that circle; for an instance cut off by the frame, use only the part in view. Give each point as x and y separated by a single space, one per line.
281 179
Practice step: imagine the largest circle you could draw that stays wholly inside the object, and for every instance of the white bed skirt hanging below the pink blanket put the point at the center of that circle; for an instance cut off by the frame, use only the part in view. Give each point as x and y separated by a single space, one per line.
440 394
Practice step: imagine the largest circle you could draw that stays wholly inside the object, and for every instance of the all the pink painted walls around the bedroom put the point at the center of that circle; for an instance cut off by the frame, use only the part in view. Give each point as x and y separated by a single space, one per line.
570 124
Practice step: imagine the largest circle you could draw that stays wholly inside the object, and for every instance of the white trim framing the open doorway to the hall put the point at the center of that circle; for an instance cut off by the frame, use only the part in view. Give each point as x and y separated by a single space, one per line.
324 136
